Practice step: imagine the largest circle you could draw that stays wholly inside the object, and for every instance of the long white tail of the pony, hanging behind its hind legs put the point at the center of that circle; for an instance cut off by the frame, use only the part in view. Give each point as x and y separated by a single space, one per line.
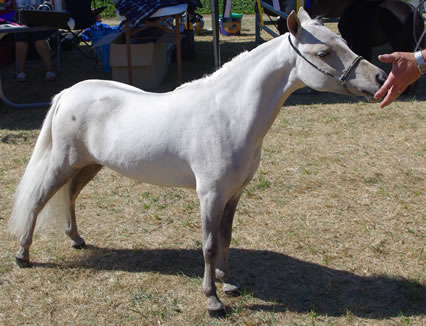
32 180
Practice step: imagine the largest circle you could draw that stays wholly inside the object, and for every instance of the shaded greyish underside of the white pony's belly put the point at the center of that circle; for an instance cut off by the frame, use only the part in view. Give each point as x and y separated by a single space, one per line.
168 175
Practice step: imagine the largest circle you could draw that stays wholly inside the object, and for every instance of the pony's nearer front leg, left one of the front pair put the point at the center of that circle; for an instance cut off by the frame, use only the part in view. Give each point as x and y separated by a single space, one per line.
211 212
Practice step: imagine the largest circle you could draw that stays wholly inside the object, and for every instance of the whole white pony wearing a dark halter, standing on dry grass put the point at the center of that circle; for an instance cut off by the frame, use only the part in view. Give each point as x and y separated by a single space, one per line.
206 135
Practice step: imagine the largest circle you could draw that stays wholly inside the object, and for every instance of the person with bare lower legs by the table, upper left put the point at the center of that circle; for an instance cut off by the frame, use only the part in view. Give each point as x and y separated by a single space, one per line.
39 39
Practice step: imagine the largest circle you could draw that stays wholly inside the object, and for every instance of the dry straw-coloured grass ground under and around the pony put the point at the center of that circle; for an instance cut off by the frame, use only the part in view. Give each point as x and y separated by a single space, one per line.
331 230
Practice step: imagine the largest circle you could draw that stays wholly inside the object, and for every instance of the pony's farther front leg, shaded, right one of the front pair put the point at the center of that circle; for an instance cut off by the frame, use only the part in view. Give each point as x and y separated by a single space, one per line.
230 287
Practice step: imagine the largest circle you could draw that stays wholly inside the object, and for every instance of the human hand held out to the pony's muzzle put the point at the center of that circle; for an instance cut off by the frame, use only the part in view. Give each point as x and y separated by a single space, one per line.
404 73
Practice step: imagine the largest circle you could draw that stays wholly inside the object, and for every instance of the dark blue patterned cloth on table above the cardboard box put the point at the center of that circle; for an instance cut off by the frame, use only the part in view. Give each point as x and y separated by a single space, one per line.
136 11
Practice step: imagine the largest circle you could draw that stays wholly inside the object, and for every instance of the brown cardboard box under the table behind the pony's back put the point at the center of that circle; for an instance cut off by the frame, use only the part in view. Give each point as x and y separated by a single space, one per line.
149 62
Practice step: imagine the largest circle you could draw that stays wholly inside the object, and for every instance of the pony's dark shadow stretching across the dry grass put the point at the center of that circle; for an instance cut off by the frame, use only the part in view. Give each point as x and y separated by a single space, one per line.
286 282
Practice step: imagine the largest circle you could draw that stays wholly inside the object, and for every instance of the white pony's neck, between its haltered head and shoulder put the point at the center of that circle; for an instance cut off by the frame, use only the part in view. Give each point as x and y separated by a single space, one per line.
260 83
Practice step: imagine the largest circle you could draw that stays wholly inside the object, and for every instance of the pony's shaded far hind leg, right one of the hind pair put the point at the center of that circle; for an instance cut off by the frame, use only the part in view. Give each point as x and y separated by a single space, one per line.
79 181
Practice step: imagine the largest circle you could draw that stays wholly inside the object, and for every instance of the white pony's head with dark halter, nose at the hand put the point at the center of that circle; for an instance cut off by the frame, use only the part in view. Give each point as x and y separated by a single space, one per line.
325 62
